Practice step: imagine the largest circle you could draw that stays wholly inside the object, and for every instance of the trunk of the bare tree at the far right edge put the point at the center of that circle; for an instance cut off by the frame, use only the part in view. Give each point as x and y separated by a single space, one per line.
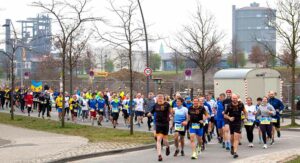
293 121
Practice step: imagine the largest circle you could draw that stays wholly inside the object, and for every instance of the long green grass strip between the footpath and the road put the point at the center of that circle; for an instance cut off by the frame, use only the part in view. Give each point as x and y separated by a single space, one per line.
93 134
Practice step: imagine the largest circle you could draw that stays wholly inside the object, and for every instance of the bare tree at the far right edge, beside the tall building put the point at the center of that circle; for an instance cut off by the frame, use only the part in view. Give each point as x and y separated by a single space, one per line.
287 25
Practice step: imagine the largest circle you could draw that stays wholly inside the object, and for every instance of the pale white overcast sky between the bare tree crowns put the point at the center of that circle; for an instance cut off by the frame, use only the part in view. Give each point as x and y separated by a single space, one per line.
165 16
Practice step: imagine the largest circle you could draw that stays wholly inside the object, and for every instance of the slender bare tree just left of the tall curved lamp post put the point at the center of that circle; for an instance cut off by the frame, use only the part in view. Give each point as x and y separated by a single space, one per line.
125 35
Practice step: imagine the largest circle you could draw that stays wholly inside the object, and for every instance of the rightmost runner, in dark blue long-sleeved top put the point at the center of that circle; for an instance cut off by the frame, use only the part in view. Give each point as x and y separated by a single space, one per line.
278 106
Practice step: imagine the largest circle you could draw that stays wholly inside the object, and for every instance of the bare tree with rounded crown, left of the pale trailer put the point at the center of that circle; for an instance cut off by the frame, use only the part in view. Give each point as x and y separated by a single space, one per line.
201 41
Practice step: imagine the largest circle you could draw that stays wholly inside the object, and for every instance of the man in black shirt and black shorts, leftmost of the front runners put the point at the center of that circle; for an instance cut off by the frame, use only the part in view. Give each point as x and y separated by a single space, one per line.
162 111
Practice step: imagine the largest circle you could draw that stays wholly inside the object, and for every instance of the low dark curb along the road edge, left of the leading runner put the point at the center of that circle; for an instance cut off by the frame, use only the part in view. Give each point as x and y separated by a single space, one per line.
106 153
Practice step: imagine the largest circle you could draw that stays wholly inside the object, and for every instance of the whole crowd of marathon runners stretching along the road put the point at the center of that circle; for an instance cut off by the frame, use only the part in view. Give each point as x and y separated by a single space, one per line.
199 118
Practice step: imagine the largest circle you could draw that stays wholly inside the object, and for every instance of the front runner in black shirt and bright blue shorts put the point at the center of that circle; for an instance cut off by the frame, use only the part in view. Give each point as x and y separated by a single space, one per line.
196 116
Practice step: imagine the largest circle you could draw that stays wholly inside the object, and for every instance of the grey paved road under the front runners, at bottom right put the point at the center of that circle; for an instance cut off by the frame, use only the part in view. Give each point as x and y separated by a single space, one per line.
213 154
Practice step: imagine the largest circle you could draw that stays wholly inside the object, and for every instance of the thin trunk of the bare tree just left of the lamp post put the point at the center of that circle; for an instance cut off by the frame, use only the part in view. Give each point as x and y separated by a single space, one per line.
131 91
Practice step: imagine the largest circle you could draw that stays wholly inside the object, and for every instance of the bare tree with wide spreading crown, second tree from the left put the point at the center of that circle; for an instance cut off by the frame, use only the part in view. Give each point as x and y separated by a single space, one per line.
70 16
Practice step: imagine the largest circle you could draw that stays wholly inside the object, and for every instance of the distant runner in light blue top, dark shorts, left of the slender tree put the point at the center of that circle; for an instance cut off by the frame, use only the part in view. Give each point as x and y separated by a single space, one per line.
115 109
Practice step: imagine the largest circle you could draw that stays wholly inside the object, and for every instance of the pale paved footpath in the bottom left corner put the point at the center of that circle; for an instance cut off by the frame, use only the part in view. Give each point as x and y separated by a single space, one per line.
27 145
